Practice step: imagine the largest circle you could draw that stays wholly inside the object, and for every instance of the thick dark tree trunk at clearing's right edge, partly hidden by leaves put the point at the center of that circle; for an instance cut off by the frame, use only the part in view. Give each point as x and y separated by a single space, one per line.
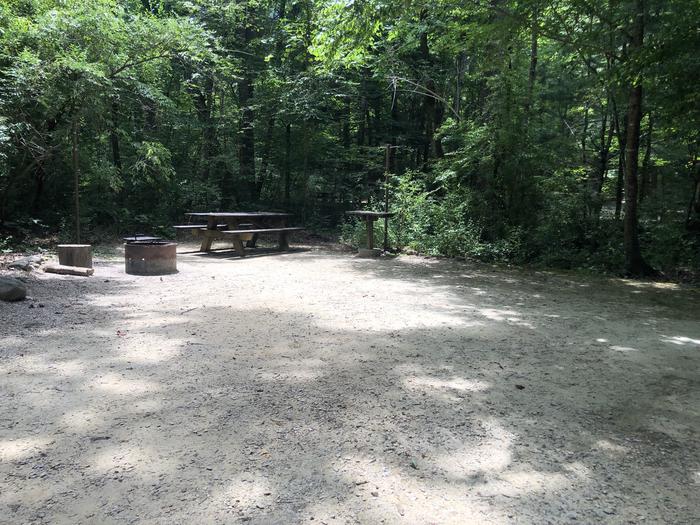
634 262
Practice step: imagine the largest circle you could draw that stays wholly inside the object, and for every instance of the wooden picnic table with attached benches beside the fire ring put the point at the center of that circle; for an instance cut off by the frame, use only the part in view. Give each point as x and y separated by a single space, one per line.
239 227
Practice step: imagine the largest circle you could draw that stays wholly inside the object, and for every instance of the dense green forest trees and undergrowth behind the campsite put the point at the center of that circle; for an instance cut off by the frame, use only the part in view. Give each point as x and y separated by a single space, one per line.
518 129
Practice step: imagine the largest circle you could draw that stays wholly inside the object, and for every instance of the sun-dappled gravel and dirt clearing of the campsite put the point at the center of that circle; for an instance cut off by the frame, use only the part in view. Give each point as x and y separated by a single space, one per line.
316 387
